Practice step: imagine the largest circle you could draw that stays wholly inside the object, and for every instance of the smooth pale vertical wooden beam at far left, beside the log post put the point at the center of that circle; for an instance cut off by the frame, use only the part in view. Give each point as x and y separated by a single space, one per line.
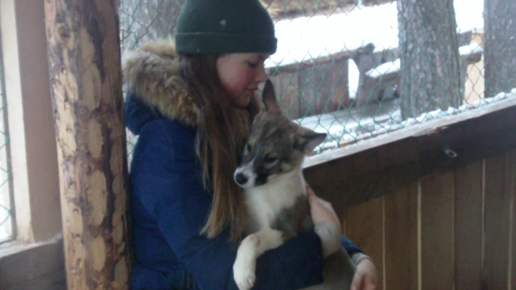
29 124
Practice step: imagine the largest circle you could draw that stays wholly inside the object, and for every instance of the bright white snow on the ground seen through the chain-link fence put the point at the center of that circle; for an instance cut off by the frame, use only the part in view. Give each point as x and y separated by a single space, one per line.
306 38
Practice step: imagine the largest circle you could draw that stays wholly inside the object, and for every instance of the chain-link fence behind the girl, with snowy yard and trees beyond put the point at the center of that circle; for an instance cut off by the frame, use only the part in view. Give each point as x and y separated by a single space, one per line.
356 69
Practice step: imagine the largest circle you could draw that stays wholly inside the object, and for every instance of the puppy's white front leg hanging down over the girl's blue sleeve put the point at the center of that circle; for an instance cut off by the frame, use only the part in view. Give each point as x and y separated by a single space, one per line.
249 250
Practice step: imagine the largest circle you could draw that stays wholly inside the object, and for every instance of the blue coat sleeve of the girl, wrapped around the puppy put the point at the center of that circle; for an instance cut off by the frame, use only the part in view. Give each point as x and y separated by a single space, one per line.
175 196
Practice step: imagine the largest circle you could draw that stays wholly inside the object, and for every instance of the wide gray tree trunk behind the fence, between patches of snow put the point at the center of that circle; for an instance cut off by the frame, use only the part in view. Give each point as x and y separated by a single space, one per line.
430 77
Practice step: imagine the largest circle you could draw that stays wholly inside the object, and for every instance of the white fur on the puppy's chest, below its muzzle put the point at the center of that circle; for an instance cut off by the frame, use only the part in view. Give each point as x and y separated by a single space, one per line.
264 203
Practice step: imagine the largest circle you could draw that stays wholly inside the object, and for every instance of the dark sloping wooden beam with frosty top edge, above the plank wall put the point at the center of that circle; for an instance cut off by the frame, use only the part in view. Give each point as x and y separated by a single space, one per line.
358 173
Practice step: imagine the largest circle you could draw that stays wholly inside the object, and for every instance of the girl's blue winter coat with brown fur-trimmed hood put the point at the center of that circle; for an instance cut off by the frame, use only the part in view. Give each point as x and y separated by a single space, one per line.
170 205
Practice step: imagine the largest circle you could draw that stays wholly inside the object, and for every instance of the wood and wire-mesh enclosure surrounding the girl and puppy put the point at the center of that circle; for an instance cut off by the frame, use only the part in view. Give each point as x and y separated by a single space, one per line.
418 99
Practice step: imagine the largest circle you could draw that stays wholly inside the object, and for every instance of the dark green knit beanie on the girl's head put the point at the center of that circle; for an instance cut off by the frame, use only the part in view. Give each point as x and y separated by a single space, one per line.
224 26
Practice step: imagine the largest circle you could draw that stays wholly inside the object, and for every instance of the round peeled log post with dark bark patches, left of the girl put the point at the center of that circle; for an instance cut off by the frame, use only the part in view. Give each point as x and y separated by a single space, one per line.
86 89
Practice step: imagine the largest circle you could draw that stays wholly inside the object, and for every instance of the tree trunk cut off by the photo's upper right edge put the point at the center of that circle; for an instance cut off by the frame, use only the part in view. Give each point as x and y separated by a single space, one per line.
499 46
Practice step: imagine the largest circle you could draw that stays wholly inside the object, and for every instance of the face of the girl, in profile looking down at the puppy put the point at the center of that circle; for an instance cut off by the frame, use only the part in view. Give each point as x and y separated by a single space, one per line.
240 74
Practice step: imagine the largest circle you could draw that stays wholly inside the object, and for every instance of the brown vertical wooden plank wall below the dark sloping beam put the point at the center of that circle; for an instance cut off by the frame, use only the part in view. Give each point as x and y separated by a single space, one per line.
455 230
